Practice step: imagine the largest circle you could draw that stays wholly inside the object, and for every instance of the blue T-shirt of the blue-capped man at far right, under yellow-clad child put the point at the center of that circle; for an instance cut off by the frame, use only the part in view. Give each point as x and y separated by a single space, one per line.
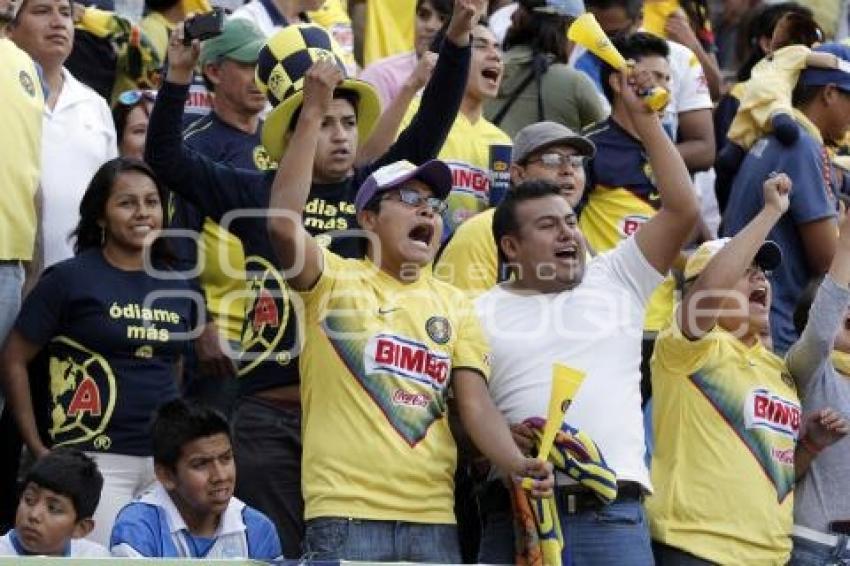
812 199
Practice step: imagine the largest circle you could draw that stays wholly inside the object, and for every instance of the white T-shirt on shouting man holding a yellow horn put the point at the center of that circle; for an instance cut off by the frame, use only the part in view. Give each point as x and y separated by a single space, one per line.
596 328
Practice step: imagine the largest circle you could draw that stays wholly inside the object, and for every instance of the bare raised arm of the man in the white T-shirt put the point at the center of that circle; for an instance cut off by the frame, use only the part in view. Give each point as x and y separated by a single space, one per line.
662 237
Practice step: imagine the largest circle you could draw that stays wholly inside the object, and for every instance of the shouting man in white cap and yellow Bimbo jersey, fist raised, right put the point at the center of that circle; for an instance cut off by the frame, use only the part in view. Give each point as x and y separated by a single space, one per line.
726 412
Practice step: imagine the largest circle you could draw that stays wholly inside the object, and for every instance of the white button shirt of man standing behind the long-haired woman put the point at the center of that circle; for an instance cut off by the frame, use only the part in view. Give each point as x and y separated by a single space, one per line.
78 137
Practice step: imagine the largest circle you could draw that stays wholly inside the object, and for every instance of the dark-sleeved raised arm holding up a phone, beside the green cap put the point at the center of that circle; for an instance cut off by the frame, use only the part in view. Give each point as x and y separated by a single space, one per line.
214 189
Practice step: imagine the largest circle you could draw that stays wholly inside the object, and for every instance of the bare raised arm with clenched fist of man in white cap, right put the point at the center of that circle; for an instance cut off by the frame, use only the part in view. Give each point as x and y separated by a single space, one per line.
699 310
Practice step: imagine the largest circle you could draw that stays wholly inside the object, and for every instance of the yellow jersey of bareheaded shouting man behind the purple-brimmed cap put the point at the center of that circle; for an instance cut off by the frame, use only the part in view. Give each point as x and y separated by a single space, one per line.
467 153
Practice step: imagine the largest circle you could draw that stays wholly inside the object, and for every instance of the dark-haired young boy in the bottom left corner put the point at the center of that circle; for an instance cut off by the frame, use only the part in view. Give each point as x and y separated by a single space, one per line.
61 492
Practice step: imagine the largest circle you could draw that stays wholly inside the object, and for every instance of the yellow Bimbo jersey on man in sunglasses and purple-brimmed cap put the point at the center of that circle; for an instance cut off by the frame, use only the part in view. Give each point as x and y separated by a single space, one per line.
375 372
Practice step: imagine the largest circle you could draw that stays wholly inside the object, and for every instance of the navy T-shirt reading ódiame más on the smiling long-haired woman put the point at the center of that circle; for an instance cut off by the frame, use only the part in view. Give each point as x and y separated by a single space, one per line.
113 345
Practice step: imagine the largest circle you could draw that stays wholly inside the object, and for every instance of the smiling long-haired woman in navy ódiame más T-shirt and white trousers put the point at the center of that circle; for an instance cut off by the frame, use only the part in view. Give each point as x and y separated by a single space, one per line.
113 321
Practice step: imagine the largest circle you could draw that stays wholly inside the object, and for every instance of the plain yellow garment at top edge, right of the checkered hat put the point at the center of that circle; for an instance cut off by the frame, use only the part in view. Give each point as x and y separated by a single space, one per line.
389 28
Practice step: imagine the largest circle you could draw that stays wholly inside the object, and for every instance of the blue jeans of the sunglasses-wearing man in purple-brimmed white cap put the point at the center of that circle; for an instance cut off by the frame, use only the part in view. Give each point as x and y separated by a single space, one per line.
332 538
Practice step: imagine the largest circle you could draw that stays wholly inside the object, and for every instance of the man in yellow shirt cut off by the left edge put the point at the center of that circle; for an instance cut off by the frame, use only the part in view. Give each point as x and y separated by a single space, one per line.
20 167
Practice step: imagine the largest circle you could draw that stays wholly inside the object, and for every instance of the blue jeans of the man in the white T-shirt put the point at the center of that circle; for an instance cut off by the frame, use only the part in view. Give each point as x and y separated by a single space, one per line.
615 534
